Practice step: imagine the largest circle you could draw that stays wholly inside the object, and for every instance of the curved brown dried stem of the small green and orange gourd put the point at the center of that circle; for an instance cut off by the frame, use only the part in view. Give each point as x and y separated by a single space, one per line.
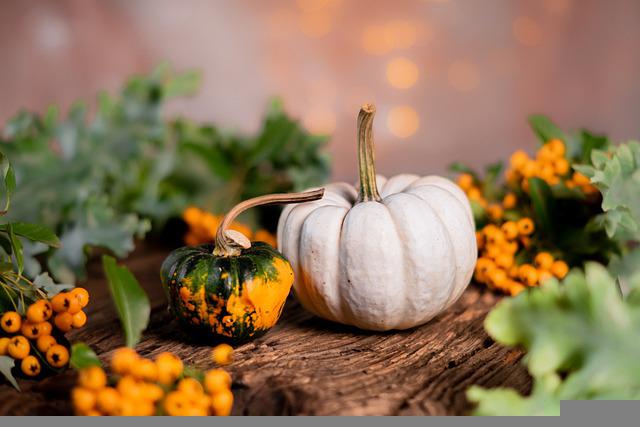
231 242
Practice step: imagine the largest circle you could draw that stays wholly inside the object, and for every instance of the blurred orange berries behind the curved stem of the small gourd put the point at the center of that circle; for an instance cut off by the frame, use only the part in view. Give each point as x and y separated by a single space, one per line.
203 226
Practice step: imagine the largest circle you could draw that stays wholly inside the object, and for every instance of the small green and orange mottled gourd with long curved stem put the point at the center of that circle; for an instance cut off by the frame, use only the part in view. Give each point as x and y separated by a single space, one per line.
231 288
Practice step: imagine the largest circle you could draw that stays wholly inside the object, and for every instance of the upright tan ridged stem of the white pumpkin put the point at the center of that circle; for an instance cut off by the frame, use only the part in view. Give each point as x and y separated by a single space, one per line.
366 161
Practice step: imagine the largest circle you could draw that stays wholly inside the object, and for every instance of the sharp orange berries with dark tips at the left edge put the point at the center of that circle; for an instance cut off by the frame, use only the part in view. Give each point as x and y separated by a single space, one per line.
33 331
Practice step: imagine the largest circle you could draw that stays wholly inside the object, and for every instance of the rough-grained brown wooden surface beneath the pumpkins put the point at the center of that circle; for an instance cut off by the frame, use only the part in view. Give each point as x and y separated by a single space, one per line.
307 366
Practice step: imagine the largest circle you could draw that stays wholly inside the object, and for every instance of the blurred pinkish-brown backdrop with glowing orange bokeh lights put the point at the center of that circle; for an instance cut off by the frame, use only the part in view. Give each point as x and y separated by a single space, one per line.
452 79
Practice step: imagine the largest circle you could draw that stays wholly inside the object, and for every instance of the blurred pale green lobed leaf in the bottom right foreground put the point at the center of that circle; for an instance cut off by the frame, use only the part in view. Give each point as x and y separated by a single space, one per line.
581 342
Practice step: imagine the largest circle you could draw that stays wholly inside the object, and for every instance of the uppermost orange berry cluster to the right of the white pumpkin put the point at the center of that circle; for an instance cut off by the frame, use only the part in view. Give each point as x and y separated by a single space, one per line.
550 165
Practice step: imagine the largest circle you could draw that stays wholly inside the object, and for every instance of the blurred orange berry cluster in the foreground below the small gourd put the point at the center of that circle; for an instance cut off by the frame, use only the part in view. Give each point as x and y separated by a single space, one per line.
145 387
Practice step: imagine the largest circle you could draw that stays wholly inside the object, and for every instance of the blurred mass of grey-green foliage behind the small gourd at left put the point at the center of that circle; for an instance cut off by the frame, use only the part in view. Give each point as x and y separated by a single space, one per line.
101 179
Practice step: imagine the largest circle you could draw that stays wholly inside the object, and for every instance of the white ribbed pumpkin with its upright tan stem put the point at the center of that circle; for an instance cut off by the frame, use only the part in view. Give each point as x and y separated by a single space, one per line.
380 260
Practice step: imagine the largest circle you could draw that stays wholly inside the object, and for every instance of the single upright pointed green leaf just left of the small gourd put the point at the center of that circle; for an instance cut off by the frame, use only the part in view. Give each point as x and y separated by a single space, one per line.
132 303
